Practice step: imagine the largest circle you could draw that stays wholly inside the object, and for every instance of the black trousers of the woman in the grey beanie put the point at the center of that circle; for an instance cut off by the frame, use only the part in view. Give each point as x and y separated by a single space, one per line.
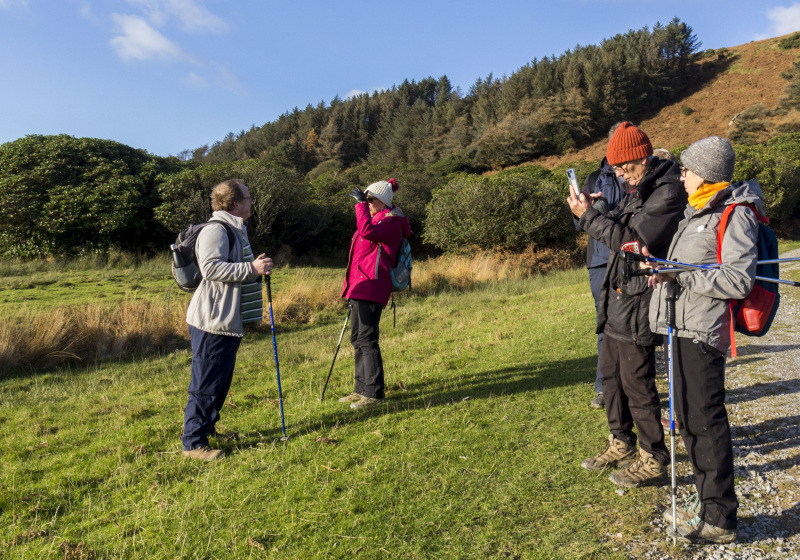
699 379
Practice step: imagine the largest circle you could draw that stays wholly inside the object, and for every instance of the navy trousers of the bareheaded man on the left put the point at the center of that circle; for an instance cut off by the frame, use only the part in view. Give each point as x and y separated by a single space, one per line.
213 358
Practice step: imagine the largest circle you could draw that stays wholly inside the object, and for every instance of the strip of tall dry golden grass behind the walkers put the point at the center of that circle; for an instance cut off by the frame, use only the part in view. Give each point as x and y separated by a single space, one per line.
46 339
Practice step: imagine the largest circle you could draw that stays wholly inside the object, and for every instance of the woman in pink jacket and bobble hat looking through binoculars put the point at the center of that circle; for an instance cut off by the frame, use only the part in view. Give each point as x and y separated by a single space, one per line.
368 285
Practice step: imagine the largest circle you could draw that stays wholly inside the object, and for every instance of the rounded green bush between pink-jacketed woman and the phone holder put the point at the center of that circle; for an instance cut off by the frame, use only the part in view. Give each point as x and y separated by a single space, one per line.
510 210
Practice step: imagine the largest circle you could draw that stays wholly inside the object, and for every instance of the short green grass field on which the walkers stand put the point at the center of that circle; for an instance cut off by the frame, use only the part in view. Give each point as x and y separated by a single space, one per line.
476 453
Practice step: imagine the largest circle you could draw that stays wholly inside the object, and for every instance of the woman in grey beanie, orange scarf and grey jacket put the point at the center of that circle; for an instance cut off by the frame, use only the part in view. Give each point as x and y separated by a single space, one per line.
702 331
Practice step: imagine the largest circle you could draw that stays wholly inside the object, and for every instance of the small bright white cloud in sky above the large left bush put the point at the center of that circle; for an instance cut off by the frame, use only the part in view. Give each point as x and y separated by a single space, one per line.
138 40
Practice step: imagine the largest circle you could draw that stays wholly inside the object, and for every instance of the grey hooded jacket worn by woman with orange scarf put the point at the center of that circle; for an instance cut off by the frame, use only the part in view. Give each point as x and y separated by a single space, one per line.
701 309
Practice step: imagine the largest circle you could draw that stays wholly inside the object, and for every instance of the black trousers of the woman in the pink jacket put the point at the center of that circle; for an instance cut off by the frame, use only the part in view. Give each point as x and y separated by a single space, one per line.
365 316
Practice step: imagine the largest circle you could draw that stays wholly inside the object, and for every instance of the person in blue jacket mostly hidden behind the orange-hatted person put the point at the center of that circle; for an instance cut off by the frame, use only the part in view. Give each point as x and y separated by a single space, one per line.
604 183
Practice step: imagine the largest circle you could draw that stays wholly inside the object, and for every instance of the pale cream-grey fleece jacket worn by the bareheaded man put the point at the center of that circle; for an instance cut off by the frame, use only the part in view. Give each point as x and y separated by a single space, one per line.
215 306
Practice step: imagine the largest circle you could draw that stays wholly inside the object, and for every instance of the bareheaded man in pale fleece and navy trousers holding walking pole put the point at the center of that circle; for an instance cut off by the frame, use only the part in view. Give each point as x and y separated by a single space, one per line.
229 296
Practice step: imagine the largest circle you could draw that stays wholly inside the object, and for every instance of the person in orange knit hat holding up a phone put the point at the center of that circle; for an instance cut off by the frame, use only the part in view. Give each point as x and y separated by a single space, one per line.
649 214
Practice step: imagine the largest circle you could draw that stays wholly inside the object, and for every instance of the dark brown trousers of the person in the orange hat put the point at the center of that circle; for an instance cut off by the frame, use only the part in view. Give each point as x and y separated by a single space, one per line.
631 396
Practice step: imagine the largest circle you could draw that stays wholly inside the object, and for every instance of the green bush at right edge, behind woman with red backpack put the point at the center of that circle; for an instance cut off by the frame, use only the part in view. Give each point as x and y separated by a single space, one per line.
776 167
